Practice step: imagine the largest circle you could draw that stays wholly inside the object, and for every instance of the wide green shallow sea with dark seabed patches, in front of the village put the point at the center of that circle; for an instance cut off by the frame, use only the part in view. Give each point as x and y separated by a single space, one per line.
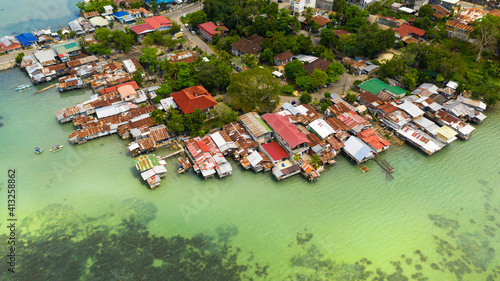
445 206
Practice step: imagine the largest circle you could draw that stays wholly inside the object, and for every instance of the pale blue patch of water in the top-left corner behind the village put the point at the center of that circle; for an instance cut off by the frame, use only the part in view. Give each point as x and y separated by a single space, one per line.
29 15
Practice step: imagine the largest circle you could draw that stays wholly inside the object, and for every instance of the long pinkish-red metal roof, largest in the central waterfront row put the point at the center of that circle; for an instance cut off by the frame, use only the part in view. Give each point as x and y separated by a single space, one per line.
289 132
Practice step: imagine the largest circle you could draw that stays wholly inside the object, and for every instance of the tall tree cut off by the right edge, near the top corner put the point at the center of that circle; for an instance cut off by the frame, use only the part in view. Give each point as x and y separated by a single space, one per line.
486 32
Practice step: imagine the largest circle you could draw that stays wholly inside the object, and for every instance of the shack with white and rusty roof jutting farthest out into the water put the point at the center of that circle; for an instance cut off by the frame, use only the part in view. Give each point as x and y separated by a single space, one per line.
152 169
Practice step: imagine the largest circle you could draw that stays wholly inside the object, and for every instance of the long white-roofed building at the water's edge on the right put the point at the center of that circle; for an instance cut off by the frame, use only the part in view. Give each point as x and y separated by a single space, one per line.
420 139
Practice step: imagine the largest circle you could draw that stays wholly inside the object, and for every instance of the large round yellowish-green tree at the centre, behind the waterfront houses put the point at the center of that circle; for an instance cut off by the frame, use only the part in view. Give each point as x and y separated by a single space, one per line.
254 89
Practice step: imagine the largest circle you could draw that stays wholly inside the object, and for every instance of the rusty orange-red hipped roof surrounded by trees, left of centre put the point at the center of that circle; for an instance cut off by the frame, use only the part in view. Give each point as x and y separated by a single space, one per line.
192 98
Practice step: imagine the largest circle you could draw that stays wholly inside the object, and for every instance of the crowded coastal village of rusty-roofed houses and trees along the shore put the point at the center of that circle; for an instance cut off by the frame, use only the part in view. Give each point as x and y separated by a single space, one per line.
286 122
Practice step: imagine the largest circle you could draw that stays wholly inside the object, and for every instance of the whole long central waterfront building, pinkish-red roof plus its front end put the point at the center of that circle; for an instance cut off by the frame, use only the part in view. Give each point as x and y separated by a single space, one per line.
287 134
